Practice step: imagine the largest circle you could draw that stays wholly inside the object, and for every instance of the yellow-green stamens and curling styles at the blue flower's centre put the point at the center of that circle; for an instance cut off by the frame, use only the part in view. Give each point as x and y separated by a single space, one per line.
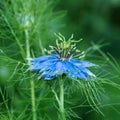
66 48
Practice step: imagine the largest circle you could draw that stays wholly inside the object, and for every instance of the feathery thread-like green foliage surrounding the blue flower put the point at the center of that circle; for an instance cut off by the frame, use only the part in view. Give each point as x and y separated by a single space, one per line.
26 26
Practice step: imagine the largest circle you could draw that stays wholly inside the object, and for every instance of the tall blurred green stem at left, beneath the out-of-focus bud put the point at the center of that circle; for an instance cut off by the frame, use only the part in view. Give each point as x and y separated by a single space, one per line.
31 81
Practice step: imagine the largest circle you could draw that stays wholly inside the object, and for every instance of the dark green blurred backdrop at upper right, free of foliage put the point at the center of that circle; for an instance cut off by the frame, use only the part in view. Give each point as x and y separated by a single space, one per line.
95 20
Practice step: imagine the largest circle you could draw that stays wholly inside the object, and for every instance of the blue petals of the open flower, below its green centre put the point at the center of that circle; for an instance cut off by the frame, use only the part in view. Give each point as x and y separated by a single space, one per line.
51 66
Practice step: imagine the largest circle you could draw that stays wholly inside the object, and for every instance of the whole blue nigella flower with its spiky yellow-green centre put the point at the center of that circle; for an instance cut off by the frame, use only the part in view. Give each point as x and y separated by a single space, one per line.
62 62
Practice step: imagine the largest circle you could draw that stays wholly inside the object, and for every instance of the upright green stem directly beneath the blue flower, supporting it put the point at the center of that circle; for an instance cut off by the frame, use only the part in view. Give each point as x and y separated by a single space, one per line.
61 105
